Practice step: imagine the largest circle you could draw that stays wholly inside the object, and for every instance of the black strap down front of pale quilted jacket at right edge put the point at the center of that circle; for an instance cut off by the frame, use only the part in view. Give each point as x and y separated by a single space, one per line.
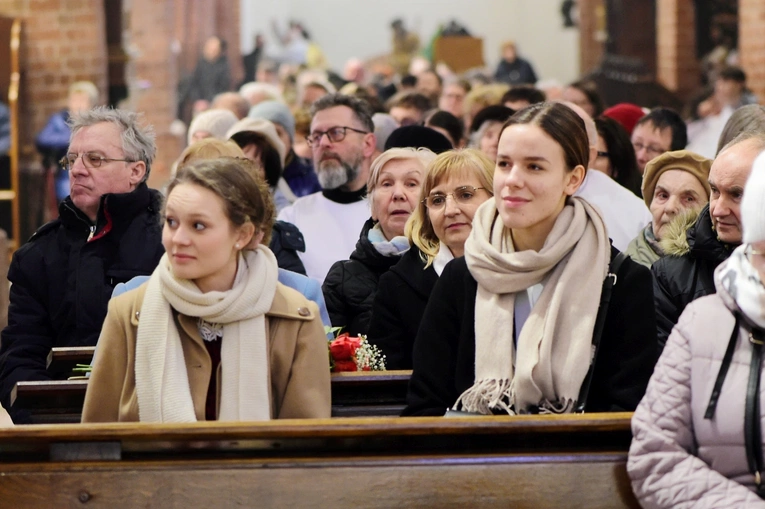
752 431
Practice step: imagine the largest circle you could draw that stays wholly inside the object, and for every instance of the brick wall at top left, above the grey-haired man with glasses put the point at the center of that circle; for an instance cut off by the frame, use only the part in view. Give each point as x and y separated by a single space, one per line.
62 42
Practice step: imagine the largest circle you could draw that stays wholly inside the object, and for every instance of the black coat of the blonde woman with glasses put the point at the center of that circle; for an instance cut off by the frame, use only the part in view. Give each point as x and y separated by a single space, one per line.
399 304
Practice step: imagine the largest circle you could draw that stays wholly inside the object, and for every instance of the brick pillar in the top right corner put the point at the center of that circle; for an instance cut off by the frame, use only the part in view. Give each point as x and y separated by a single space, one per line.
751 26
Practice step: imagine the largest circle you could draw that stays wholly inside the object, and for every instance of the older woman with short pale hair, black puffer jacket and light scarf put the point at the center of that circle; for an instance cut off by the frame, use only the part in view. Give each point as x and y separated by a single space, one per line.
394 188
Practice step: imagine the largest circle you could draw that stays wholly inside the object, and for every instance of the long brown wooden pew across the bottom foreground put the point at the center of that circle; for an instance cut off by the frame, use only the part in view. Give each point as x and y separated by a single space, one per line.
529 461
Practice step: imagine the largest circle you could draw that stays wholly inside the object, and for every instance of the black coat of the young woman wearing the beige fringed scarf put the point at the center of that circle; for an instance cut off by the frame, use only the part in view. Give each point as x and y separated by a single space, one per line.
444 351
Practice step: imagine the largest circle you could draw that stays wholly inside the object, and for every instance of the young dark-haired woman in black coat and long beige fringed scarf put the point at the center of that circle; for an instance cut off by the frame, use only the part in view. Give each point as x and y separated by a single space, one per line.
510 328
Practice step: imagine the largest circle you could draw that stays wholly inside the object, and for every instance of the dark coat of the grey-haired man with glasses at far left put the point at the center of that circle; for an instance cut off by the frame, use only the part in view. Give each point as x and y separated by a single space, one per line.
63 279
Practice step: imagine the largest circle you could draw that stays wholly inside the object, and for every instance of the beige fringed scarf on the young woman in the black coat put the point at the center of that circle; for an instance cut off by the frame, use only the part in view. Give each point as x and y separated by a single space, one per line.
555 344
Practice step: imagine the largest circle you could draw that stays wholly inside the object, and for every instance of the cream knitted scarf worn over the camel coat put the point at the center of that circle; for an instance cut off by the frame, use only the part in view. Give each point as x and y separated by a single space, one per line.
162 382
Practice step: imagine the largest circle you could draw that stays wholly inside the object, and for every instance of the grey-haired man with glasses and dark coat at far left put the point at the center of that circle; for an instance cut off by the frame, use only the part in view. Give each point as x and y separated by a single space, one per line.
107 232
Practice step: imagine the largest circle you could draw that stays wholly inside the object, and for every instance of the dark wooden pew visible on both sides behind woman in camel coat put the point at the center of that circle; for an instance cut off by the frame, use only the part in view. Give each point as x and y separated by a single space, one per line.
358 394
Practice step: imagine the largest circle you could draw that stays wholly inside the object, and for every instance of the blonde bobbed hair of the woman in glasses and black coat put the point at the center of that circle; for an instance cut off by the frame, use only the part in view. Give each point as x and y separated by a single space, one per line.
419 229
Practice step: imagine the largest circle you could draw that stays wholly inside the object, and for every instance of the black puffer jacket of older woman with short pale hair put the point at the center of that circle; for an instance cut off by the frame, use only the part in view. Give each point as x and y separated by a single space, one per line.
350 286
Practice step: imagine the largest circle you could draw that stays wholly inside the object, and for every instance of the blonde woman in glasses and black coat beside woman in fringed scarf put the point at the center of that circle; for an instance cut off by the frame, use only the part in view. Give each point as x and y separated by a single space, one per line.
457 182
